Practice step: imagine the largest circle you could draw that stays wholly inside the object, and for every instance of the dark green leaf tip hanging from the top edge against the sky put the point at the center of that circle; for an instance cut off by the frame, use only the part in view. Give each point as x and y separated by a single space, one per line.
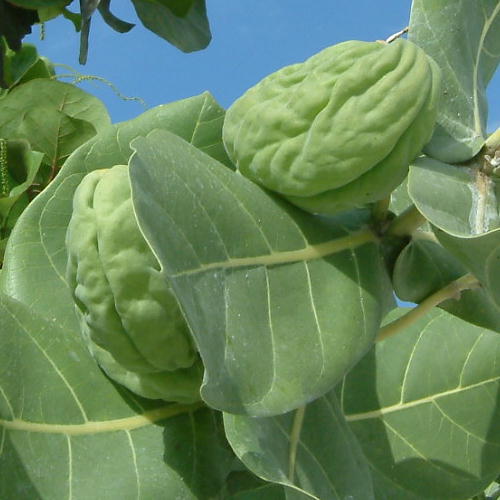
188 33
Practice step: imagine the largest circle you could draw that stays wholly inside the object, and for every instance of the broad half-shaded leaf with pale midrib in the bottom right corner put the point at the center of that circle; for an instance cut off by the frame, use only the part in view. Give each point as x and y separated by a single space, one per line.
425 407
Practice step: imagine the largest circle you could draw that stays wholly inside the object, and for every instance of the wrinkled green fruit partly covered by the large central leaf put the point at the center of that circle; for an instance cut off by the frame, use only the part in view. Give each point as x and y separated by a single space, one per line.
128 316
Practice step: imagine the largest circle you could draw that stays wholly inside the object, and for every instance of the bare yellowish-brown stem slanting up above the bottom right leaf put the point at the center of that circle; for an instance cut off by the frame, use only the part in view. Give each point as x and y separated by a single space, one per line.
450 291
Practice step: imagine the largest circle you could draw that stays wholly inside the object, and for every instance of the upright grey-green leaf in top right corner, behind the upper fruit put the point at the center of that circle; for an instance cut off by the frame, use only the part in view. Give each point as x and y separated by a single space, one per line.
464 39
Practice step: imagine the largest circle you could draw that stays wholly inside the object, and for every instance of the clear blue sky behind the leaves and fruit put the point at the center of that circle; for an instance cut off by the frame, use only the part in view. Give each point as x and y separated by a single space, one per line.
250 40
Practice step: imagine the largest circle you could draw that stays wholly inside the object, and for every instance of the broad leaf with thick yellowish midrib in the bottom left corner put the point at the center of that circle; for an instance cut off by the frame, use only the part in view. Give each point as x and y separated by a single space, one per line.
68 432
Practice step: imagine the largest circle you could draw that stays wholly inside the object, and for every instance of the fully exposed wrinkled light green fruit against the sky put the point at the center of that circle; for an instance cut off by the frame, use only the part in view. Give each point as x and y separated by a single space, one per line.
339 130
